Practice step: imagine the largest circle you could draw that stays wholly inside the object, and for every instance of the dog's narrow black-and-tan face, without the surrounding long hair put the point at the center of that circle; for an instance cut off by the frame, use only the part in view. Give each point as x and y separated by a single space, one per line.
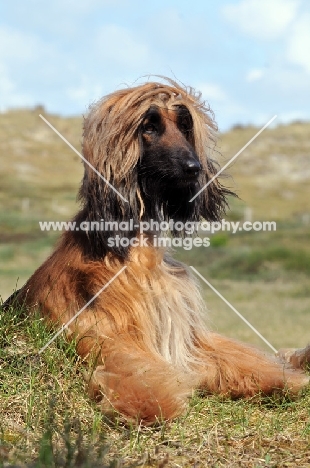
169 167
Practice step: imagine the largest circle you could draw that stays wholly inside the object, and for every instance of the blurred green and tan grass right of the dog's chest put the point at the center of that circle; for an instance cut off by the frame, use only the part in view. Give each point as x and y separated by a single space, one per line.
265 276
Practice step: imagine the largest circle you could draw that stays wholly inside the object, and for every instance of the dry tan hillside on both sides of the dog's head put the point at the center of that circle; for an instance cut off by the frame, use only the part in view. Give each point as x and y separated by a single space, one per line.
39 166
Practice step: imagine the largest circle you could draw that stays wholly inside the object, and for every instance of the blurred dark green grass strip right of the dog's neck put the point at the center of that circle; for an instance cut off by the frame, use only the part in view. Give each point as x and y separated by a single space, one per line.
254 255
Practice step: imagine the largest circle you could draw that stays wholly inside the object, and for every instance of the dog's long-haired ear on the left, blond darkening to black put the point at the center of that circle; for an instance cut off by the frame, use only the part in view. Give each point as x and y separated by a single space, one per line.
109 190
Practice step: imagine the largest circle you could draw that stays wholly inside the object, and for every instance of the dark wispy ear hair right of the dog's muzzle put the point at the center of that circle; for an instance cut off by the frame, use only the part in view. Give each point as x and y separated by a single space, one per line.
213 199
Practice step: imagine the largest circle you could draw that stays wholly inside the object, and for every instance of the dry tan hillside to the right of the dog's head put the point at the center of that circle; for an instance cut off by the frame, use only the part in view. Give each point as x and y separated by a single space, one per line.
272 175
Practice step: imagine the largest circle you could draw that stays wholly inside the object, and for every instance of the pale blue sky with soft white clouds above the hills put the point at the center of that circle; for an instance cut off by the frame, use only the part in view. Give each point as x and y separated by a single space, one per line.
249 58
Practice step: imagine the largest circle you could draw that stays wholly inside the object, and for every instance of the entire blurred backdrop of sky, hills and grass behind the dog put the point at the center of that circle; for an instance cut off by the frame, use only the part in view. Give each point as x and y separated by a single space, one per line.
251 61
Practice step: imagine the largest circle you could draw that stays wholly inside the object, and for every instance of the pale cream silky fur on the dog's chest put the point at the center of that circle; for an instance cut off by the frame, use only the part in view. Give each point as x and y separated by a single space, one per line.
172 307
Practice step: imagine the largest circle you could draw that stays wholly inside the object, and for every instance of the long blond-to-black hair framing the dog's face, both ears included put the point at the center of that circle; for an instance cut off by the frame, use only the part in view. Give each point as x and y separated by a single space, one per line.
111 144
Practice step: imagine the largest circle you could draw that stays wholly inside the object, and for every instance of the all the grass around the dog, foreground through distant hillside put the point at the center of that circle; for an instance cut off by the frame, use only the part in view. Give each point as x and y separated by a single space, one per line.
47 419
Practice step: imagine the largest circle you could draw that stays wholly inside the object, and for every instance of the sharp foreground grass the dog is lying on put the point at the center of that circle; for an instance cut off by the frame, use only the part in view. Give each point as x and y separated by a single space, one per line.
48 420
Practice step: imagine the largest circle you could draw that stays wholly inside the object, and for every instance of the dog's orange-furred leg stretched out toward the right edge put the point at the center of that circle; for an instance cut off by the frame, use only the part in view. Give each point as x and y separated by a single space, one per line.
239 370
